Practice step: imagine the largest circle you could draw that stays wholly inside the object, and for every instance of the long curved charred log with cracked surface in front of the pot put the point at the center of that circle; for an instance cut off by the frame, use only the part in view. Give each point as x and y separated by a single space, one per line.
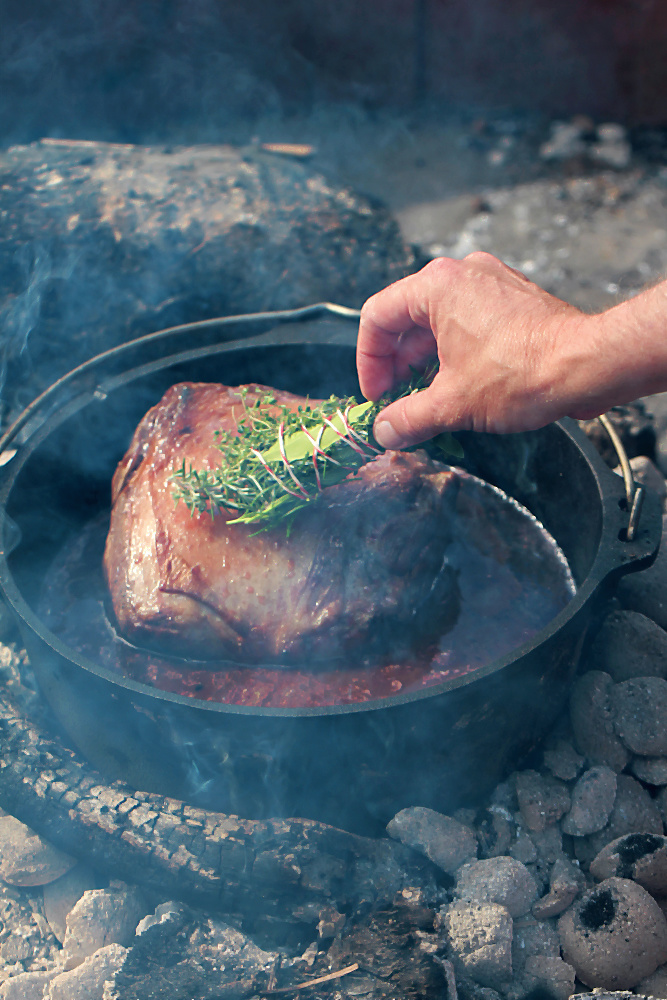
285 871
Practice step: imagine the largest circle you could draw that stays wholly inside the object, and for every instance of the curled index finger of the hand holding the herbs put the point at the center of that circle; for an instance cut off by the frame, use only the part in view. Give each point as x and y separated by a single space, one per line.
386 317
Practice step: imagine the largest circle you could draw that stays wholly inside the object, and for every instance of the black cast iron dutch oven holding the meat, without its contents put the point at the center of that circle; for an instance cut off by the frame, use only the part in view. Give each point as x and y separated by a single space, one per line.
355 765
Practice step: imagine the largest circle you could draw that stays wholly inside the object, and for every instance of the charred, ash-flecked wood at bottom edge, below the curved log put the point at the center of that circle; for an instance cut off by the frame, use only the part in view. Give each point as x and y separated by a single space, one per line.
184 956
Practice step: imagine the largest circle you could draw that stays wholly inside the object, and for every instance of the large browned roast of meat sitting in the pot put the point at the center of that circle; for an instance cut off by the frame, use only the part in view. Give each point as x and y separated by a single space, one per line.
362 572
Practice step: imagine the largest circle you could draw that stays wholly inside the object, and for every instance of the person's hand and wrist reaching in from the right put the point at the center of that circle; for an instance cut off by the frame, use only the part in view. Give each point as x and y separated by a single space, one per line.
511 356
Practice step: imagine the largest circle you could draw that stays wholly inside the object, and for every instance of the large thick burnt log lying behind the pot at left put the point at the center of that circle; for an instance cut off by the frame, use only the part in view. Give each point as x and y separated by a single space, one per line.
101 243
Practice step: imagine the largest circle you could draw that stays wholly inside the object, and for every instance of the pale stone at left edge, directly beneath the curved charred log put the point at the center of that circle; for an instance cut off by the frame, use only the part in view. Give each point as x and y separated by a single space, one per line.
26 859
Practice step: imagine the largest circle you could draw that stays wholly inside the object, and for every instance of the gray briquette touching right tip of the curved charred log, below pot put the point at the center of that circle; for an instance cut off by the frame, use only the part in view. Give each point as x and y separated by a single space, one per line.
445 841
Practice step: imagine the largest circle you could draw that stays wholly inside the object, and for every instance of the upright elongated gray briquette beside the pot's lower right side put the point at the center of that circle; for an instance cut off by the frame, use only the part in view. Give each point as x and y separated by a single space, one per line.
593 722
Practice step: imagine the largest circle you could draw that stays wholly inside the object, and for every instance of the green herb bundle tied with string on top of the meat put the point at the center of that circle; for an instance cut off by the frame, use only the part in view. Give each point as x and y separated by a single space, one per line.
280 460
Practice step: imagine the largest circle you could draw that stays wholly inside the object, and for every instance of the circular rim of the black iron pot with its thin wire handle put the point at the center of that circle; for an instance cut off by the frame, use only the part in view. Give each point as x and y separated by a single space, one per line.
616 557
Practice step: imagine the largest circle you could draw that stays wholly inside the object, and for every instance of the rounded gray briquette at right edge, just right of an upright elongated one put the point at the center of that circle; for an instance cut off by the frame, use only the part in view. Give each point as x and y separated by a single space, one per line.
639 706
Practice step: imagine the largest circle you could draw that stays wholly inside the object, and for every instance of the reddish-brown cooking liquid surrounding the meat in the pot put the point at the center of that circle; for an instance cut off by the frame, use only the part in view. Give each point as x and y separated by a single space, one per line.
513 579
